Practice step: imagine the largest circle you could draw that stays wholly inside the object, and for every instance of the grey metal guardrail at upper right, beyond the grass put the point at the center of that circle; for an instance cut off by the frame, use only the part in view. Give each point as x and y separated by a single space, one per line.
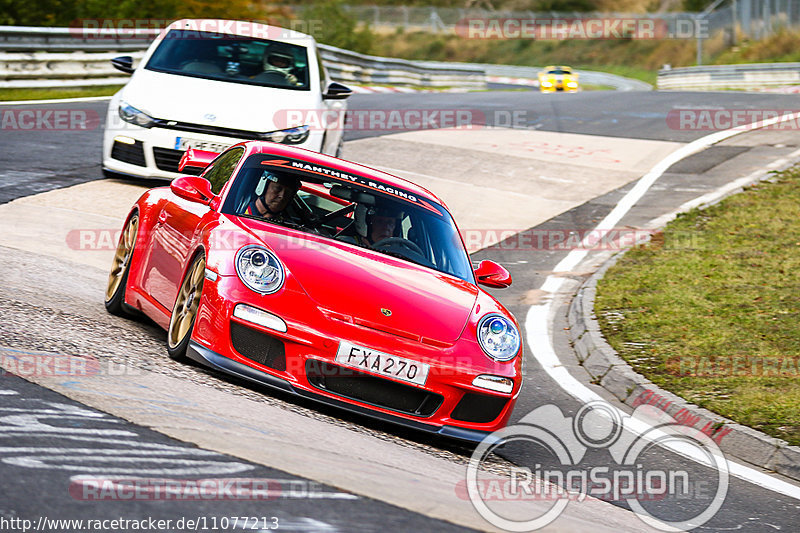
747 76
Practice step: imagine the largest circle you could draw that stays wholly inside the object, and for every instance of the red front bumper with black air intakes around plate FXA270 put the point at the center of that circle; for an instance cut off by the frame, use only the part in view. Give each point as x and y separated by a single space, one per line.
301 359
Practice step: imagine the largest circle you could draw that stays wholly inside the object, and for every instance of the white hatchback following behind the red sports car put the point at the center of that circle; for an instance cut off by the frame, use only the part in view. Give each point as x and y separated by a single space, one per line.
208 84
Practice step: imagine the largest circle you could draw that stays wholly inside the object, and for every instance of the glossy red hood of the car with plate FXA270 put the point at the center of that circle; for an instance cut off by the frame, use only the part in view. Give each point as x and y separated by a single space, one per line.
355 285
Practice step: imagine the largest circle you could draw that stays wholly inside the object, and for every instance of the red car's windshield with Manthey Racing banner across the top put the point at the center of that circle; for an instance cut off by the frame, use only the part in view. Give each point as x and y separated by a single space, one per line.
350 210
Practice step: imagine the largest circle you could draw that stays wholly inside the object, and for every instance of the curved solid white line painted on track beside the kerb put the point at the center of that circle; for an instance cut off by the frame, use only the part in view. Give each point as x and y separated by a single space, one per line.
539 318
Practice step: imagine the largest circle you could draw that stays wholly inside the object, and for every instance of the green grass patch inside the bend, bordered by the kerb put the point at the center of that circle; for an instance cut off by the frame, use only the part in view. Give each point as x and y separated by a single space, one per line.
710 309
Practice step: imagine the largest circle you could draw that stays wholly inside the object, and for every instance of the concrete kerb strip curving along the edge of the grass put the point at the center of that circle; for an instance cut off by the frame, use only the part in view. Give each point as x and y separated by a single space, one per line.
607 369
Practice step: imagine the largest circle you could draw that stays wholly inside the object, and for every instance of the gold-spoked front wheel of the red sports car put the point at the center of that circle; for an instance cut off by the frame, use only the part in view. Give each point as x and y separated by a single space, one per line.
184 312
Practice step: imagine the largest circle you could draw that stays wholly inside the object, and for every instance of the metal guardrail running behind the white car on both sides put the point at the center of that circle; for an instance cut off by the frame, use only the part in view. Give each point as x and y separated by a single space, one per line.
67 57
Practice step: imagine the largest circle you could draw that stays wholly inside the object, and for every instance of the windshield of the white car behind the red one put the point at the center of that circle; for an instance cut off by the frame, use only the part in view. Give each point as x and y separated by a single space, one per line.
232 58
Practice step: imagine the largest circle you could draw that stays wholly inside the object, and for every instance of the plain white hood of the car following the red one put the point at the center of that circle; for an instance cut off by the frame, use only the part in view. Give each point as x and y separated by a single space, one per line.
196 100
